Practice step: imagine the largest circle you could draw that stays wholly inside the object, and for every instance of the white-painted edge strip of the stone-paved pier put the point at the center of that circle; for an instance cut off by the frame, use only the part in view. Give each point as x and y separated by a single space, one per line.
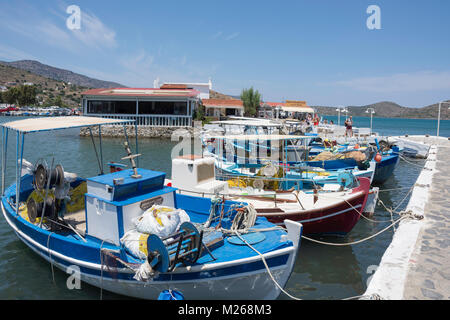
390 277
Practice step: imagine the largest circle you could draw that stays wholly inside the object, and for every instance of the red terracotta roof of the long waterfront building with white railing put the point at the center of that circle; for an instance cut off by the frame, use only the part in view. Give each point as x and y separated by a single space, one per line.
142 92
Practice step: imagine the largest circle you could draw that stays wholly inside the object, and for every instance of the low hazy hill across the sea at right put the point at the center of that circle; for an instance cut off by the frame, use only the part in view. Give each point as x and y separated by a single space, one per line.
387 109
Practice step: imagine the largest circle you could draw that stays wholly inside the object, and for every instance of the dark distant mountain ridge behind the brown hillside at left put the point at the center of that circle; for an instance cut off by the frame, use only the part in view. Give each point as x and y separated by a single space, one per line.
60 74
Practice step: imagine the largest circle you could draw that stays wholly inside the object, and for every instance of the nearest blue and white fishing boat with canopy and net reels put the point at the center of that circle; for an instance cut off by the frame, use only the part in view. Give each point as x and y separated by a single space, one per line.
128 233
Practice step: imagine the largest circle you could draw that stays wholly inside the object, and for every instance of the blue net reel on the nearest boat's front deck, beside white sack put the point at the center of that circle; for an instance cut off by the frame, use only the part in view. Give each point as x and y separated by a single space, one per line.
184 246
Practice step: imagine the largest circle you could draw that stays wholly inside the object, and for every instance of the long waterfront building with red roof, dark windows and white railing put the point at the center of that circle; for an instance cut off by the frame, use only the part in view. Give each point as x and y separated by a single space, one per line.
168 106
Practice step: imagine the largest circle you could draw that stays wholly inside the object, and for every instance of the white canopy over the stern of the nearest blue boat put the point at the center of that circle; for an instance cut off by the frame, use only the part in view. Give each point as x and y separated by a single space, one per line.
59 123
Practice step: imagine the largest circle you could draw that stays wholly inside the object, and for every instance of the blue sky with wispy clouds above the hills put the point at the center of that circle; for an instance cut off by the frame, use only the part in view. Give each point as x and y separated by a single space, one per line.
318 51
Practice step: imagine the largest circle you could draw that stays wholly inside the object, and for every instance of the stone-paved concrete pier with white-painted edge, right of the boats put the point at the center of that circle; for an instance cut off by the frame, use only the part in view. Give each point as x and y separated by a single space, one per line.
416 265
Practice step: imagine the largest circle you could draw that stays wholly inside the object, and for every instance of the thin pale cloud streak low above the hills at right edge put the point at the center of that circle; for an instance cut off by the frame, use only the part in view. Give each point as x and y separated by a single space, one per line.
401 82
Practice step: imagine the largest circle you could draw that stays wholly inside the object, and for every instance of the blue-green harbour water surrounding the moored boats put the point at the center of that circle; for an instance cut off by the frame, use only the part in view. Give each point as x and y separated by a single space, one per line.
321 271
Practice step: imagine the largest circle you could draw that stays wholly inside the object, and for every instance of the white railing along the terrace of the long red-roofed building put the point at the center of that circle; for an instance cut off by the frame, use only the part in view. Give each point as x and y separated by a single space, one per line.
150 119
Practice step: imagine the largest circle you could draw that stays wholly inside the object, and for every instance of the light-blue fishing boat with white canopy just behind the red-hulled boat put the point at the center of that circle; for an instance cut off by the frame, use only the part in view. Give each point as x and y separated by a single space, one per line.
249 155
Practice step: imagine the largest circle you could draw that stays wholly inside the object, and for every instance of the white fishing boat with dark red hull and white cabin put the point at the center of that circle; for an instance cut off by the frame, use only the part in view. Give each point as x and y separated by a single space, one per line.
331 211
